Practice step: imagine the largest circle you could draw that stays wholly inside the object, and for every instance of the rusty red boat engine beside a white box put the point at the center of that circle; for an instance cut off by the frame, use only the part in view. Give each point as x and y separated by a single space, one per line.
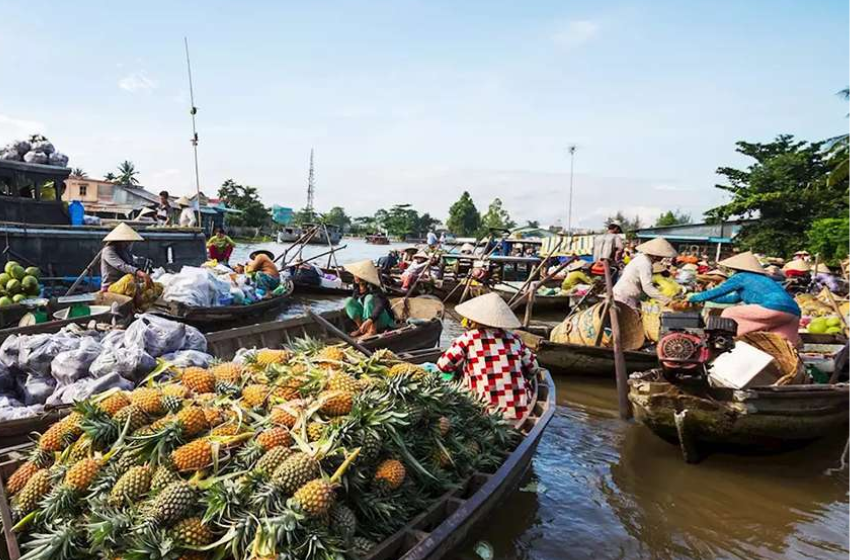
685 345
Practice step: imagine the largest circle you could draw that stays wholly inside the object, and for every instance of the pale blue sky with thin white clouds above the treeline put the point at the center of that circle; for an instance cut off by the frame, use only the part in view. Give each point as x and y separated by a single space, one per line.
415 101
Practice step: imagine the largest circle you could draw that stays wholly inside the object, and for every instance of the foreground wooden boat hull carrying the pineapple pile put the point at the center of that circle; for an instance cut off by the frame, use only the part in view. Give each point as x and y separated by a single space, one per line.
435 532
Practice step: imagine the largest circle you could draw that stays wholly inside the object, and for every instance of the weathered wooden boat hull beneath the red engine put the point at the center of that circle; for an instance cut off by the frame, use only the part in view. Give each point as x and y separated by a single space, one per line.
700 418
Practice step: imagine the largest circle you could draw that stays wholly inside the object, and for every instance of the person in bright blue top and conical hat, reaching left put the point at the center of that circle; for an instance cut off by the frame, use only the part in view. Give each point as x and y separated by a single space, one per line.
765 305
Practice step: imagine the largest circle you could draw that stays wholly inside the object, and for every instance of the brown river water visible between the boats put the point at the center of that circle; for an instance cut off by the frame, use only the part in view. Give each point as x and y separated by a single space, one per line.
601 488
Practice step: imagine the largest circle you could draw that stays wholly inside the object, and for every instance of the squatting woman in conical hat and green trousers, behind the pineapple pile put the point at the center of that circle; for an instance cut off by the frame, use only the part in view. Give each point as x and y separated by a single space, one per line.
368 306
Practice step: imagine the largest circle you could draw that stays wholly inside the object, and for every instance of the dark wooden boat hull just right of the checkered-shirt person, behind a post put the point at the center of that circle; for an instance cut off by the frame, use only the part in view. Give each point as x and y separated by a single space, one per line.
575 359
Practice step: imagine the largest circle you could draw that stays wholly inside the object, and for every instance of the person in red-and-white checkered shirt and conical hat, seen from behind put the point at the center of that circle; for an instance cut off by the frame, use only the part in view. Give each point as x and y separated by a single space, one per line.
494 362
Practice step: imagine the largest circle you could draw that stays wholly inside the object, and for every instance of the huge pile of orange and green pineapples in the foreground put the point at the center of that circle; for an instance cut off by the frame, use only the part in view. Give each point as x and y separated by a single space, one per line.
306 452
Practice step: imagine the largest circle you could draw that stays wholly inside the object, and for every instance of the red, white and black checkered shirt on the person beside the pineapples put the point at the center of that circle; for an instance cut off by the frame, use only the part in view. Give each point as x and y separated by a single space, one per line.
496 365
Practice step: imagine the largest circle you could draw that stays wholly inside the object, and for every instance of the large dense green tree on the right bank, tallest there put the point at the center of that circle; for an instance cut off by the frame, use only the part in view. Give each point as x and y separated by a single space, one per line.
786 189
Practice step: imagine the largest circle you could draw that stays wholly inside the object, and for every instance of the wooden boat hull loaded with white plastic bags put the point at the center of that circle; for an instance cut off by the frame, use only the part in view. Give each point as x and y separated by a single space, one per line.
214 318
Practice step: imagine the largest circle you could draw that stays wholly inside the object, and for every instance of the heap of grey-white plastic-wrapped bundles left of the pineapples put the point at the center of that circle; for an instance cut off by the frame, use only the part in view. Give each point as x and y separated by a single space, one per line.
75 363
